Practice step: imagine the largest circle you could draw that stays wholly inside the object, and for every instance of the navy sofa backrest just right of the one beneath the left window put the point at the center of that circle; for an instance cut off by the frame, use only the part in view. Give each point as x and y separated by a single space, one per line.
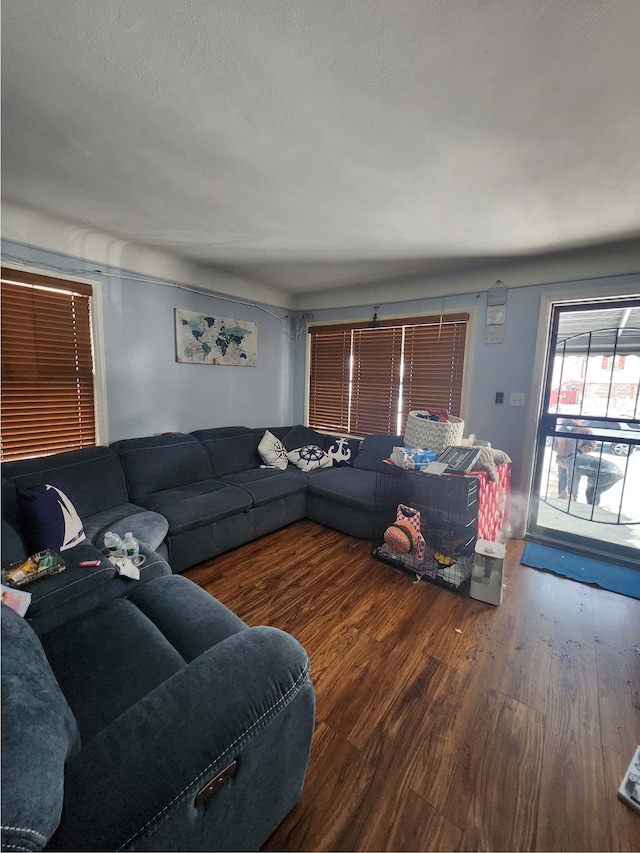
158 462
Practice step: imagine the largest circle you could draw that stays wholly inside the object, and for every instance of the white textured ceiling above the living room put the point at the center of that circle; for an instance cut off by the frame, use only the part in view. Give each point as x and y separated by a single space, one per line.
319 143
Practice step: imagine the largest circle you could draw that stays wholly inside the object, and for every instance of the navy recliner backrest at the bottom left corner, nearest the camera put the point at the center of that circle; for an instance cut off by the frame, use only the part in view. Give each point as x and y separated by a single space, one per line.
39 733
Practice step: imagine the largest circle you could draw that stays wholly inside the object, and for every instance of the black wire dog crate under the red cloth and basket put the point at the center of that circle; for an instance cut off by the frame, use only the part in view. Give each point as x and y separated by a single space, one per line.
448 507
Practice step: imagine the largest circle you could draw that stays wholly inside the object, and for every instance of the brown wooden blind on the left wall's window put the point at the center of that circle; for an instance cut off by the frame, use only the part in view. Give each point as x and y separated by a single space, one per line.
47 394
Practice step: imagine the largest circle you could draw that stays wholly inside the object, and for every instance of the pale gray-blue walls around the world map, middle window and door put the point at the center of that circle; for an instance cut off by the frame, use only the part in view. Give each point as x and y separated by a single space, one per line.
149 392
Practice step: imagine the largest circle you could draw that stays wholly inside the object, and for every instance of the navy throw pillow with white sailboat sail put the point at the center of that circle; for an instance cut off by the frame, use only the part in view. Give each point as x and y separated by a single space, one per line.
49 519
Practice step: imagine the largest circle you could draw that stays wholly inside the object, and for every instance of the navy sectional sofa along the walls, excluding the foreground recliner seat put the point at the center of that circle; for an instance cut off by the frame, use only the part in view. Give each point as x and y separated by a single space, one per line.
186 497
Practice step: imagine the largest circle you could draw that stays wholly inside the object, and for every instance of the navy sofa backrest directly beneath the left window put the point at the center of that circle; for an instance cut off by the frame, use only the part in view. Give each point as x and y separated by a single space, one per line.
92 478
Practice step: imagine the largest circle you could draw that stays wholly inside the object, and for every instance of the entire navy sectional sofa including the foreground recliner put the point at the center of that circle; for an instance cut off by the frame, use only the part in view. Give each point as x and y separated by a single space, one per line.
142 714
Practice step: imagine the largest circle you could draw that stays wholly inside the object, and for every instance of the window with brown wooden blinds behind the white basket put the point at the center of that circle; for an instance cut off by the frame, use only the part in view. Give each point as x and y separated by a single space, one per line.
366 380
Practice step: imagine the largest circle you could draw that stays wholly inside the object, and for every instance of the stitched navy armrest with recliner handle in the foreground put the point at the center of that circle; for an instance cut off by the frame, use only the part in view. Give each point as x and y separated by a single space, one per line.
134 785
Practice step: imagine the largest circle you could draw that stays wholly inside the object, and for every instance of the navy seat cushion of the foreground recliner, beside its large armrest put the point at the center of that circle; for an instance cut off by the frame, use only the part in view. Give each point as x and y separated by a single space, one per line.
108 660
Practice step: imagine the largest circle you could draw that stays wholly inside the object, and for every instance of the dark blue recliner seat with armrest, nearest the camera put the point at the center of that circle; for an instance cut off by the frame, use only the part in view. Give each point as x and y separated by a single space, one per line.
156 721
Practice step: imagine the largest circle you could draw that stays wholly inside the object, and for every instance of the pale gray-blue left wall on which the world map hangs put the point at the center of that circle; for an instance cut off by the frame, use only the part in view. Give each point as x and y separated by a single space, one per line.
148 391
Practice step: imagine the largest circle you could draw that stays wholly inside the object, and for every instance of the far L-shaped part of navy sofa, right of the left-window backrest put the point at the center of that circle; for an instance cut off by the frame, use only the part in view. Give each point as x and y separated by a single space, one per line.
215 493
